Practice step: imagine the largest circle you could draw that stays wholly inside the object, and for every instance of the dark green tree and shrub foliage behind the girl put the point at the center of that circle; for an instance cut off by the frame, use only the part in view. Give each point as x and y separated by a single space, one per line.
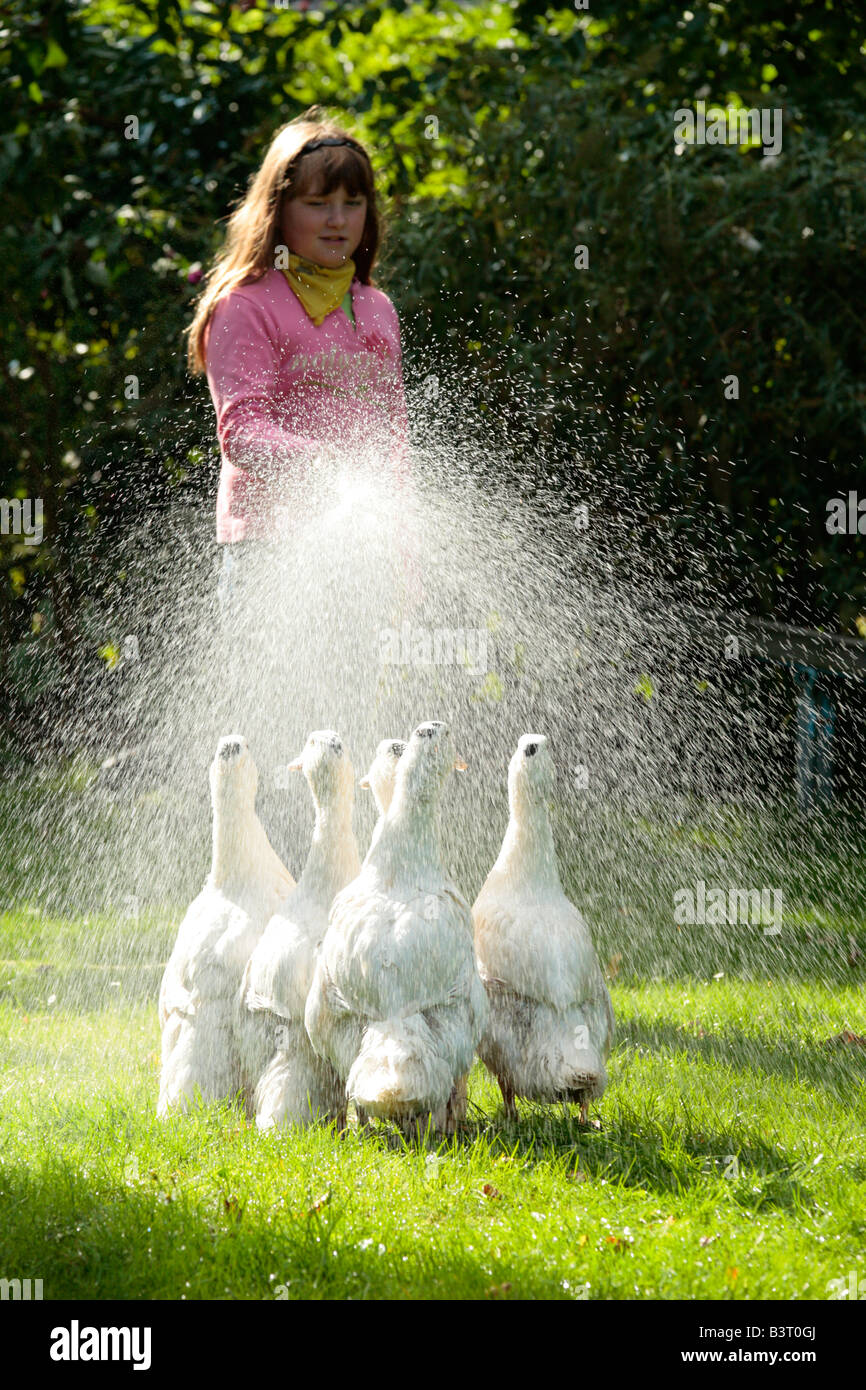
507 138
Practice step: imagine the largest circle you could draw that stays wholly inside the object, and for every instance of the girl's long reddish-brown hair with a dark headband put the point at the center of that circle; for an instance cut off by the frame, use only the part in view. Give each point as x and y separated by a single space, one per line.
254 229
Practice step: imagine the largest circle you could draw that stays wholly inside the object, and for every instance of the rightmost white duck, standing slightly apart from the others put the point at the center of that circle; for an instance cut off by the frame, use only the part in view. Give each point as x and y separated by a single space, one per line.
551 1021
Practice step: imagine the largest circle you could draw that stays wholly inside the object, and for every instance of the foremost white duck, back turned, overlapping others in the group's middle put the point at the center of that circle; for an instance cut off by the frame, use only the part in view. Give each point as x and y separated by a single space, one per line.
397 1004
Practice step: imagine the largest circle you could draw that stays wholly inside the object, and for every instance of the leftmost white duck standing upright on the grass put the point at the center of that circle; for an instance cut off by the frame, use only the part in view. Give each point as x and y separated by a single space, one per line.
245 886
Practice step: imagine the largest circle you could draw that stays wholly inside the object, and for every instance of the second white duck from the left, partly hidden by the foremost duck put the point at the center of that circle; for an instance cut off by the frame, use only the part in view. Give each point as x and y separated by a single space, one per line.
291 1084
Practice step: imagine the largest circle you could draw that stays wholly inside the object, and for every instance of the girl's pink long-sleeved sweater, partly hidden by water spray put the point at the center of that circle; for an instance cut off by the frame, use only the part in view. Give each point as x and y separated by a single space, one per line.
286 391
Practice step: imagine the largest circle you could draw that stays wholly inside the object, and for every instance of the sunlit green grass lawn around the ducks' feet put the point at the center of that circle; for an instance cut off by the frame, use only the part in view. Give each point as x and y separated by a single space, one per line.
728 1159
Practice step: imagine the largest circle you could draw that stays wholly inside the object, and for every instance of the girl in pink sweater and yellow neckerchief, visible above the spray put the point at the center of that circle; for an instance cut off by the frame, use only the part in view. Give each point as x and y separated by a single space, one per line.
302 352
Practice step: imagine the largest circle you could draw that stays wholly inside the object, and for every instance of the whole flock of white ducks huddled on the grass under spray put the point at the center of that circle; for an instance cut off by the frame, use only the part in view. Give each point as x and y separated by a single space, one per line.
373 982
